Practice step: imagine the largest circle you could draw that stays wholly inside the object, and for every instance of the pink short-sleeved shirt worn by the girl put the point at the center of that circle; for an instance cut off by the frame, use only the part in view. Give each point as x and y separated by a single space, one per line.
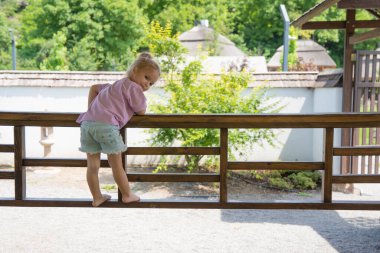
115 104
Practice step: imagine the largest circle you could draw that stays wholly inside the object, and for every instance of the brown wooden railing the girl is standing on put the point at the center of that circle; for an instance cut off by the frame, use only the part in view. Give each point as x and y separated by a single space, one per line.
328 122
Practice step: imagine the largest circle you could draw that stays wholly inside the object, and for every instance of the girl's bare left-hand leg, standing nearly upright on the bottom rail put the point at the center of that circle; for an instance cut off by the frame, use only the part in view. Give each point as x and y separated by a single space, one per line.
93 165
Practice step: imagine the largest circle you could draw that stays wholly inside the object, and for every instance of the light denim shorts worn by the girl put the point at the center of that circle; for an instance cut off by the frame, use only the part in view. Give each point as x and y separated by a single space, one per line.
98 137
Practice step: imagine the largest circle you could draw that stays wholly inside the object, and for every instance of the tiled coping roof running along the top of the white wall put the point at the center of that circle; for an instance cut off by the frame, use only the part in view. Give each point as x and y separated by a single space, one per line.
67 79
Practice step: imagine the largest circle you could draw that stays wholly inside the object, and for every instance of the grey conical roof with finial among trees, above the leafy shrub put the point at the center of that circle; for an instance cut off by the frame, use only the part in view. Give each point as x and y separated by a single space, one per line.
199 38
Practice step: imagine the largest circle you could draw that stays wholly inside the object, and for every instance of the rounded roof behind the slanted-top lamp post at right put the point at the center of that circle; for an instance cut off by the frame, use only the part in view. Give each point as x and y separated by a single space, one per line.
310 51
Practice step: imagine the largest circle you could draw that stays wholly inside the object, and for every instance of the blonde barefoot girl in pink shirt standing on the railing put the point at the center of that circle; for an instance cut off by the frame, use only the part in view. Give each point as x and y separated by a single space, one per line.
110 107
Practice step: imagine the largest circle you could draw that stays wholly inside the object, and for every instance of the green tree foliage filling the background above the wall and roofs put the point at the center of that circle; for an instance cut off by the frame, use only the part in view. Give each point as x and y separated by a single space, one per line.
105 35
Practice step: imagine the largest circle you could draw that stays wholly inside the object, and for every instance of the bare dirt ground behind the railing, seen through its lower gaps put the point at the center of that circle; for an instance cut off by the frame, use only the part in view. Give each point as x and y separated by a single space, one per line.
69 182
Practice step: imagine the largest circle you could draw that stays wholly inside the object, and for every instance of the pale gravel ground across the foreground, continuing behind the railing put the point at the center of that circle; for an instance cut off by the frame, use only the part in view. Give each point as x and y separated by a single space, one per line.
177 230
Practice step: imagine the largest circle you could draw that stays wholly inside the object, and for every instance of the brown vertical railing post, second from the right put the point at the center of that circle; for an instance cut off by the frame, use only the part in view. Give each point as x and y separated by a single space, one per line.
223 164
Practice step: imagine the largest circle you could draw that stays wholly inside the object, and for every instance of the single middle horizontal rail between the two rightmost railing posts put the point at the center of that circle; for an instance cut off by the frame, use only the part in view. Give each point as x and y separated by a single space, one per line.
276 166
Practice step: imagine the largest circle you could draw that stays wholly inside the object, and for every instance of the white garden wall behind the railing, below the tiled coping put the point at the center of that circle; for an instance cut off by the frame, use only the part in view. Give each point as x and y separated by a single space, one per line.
293 144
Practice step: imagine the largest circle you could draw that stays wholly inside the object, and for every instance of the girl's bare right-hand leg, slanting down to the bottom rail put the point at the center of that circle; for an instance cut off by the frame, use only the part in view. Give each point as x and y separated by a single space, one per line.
121 178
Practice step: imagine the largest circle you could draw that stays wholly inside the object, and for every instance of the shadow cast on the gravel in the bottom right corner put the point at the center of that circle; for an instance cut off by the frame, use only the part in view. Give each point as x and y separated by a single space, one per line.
352 233
